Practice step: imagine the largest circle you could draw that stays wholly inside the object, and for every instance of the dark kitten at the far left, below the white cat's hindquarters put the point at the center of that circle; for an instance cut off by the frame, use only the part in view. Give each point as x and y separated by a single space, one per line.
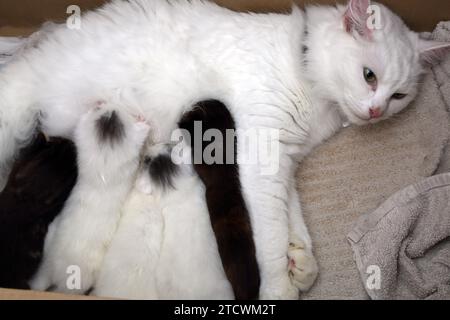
39 184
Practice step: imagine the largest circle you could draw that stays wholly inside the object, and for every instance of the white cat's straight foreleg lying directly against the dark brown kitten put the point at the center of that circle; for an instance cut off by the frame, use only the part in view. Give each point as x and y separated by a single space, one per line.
267 200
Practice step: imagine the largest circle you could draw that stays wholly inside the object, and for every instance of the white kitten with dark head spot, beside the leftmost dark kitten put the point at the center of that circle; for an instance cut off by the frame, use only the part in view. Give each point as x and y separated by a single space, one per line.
108 145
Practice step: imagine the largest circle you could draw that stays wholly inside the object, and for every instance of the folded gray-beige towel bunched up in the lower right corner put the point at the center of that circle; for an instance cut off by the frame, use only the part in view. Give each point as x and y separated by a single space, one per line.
402 250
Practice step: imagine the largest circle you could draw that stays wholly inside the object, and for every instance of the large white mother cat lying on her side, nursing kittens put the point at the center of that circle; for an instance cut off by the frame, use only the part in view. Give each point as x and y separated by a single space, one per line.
157 56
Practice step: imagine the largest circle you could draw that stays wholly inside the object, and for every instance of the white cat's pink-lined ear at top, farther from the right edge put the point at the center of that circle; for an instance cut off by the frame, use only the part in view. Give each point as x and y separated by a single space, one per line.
356 17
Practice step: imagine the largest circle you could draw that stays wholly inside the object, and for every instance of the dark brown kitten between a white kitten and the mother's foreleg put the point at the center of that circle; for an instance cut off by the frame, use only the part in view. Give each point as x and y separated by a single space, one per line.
228 213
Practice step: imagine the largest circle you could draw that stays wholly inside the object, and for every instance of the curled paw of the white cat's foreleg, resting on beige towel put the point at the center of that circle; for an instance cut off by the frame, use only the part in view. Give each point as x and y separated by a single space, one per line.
303 268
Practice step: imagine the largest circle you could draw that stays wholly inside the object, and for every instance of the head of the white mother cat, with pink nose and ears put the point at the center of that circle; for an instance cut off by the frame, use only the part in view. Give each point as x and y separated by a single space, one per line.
364 58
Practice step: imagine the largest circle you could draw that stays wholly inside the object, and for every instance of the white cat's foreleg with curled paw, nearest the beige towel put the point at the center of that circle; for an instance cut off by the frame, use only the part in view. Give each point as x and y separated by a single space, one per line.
302 267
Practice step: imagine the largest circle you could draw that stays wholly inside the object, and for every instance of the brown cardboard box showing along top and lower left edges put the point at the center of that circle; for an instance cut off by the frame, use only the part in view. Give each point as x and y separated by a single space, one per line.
21 17
